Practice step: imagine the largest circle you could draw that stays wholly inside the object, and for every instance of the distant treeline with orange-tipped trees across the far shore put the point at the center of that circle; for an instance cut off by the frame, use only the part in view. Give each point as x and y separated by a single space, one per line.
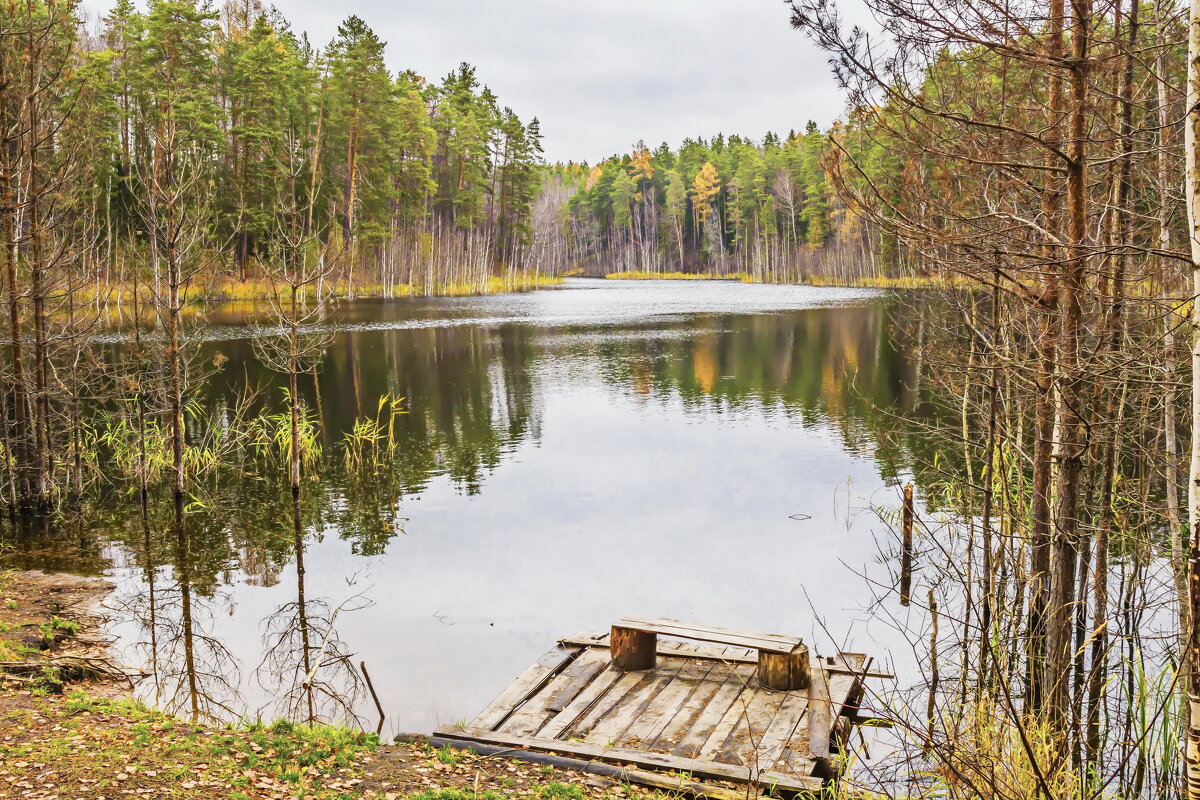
727 206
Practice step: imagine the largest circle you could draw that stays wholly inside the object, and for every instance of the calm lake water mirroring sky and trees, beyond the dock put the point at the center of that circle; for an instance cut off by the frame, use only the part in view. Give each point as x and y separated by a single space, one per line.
712 452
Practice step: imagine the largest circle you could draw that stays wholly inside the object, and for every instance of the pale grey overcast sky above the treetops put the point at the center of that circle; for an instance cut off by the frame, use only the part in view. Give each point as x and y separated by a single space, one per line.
601 75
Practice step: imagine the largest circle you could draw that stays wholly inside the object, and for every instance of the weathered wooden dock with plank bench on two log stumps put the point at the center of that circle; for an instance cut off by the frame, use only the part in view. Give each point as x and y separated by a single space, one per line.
728 707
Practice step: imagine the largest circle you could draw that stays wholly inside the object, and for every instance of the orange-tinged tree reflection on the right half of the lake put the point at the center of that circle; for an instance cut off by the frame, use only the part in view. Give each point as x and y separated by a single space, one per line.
838 368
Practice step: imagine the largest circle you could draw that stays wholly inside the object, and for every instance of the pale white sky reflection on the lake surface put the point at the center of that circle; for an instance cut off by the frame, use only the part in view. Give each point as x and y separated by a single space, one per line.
620 508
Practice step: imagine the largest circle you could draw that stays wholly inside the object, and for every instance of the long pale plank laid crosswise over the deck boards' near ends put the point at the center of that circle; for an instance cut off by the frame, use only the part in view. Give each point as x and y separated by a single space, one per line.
697 768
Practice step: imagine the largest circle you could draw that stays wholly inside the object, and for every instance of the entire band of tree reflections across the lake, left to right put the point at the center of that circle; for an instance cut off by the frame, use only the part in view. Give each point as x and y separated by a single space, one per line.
470 400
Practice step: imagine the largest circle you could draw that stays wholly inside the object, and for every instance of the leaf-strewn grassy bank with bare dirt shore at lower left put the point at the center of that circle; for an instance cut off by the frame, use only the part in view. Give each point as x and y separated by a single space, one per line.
63 736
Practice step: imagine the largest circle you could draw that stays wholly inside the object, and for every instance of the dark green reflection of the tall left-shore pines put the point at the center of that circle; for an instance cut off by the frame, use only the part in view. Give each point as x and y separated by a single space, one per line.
469 399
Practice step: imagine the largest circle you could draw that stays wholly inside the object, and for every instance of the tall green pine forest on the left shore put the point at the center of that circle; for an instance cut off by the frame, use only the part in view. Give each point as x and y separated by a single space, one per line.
232 123
